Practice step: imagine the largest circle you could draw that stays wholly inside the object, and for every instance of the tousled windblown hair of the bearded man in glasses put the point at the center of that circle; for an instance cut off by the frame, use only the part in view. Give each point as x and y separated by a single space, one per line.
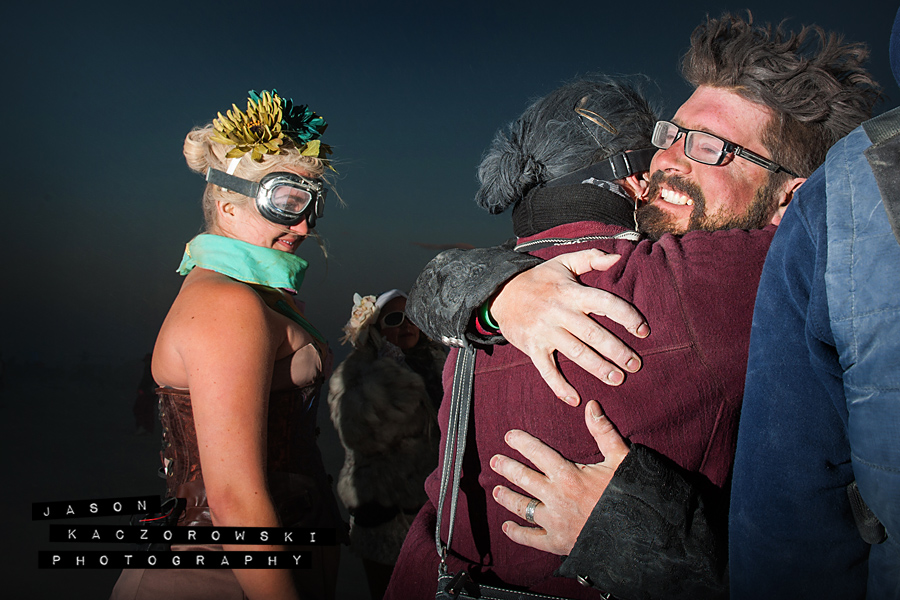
814 83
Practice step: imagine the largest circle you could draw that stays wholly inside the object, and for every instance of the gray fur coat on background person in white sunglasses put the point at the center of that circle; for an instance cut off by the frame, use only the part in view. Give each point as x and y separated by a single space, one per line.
388 425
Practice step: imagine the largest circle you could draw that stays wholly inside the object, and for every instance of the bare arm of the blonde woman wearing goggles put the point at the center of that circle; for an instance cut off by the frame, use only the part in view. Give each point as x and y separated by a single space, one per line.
228 343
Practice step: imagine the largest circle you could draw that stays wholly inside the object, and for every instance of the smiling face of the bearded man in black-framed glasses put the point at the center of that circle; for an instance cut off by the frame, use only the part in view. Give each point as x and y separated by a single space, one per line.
685 195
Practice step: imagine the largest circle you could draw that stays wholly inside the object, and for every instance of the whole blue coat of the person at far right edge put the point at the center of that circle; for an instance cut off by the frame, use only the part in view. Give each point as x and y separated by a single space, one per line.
812 420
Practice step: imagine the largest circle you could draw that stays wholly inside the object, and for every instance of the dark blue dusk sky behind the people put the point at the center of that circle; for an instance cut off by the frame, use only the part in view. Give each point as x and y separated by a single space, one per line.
98 97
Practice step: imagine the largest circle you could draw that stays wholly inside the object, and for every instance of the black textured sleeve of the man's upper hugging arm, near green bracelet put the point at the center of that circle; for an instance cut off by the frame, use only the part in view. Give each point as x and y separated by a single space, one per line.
448 292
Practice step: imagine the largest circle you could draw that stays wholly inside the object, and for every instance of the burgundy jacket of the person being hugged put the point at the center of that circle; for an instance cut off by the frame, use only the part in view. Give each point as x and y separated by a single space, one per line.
697 293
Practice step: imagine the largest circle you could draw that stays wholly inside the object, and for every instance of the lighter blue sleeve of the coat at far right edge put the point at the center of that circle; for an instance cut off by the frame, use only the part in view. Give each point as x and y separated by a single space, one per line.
862 279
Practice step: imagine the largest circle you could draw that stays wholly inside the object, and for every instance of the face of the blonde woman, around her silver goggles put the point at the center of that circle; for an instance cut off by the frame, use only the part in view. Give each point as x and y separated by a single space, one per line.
246 224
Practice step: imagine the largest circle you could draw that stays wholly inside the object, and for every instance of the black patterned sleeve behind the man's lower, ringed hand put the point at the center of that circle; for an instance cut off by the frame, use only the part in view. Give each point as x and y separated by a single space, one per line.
655 533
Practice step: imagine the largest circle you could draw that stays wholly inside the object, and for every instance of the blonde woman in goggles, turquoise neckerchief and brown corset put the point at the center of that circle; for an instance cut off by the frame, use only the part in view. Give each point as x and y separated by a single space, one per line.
239 366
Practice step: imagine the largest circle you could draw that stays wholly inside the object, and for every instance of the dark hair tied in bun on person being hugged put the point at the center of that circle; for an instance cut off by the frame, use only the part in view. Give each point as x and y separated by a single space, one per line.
550 139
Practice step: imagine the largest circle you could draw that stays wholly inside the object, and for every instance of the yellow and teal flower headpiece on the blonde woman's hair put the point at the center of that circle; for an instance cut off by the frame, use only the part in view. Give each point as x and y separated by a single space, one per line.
270 120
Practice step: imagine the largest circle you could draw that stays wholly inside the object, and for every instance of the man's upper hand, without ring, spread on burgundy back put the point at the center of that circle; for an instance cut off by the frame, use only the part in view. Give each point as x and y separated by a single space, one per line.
545 309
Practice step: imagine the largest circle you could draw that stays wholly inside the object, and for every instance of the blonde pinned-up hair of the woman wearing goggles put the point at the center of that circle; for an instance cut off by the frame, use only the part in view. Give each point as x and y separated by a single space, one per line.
201 153
